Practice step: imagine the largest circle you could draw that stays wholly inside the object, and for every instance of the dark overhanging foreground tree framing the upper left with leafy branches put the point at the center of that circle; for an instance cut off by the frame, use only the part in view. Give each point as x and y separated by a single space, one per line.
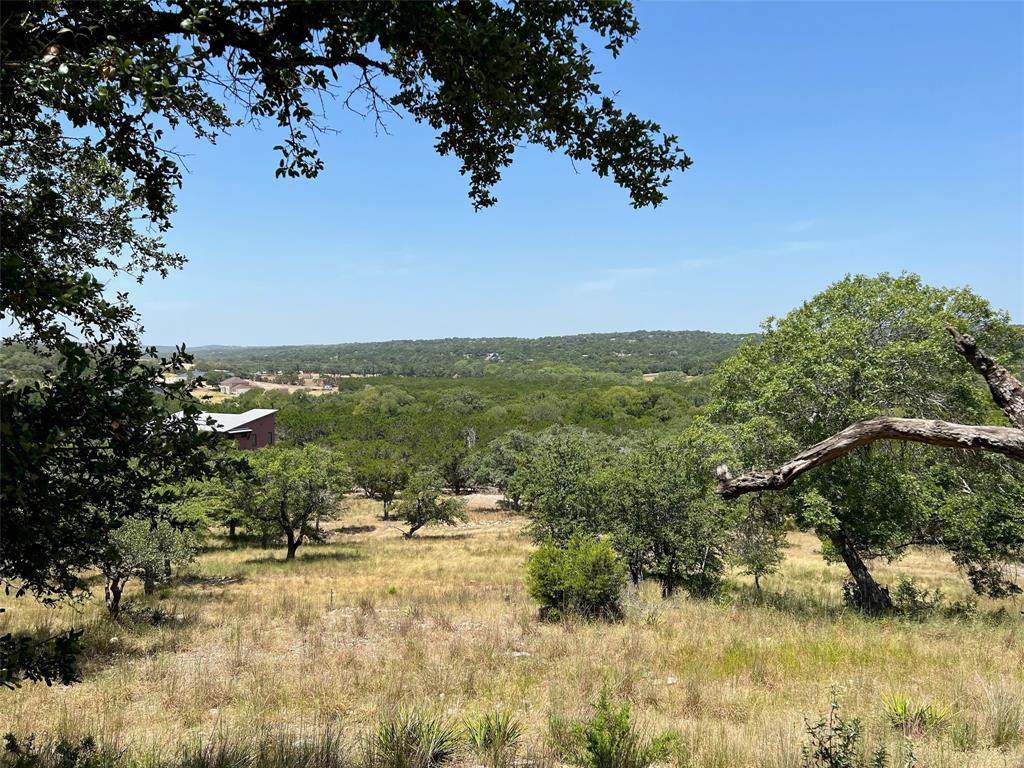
88 183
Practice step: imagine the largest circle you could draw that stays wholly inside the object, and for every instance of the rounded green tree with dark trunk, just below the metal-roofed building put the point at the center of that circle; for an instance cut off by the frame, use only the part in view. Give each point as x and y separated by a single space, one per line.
292 490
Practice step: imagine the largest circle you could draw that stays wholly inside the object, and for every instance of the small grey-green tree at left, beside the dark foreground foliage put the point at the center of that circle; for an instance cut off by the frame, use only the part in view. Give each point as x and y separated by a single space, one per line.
141 548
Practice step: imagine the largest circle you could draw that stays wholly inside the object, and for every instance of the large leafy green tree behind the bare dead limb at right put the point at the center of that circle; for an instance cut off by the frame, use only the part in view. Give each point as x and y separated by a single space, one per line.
867 353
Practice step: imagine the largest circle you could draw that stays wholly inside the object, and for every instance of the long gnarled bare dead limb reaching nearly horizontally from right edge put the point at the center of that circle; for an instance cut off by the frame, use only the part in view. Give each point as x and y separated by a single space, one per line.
1006 441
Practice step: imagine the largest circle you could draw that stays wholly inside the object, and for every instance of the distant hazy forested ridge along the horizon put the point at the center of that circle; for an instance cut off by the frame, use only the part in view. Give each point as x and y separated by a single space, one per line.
648 352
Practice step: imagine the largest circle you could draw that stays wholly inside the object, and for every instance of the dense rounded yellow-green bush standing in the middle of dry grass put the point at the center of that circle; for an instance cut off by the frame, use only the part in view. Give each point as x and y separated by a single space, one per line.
585 578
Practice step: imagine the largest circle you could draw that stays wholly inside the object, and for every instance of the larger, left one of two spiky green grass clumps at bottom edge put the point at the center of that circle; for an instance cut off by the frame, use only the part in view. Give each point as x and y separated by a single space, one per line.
412 740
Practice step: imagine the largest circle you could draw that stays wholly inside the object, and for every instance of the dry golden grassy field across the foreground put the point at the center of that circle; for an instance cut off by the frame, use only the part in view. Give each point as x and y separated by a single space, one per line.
371 624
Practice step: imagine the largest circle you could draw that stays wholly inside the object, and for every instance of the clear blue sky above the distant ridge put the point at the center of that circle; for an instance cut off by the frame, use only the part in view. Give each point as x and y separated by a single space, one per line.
827 139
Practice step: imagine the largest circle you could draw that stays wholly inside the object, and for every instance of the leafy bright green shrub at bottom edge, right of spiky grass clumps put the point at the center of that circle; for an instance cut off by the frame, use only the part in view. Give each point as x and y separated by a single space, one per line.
610 740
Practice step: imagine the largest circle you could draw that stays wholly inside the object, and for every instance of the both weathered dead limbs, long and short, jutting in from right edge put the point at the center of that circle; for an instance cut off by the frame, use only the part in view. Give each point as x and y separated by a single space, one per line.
1008 393
